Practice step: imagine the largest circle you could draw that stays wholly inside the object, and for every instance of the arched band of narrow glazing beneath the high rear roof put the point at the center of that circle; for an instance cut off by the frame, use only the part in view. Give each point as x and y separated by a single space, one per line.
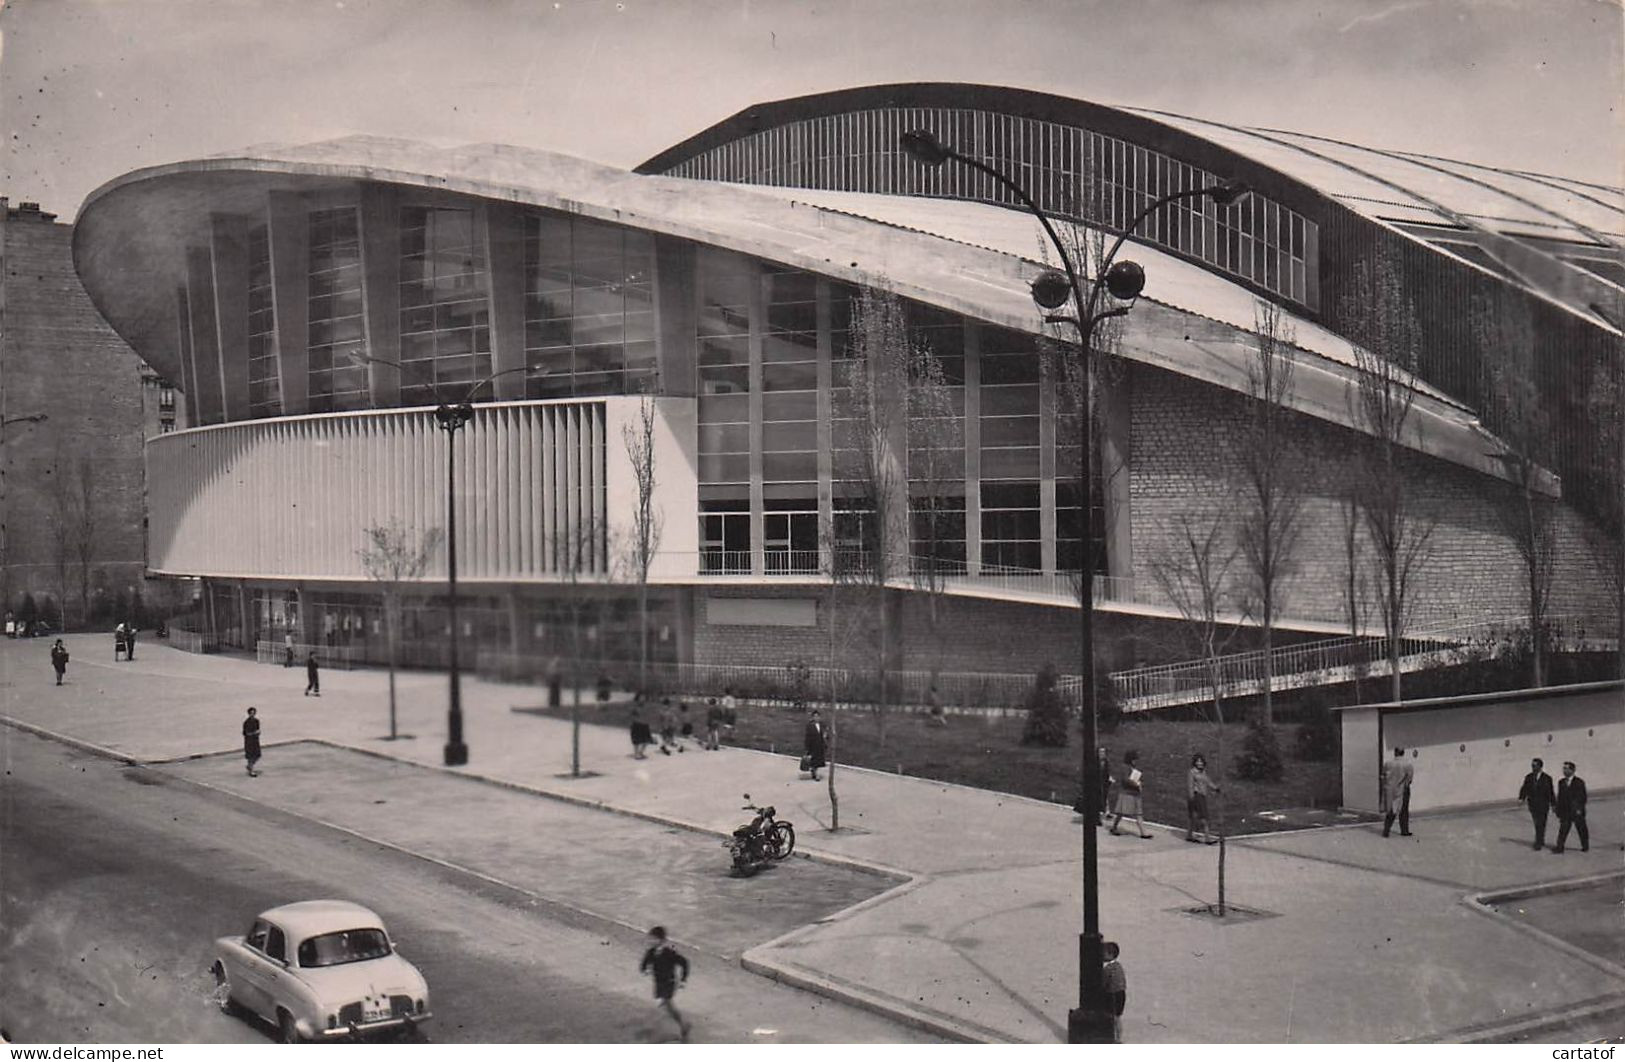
1068 171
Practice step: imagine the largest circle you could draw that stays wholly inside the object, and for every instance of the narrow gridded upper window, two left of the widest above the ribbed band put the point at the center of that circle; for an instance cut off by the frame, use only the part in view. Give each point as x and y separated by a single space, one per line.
337 327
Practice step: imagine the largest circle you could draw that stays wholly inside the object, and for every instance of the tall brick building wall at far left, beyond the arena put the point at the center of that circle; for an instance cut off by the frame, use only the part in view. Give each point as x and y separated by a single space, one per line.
59 358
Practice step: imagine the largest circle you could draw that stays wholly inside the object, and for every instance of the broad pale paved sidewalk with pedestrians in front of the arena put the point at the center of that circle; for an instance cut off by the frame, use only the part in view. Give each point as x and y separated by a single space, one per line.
1358 938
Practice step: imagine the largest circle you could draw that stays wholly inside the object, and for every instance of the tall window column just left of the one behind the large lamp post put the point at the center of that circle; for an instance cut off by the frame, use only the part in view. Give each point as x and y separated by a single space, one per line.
1010 451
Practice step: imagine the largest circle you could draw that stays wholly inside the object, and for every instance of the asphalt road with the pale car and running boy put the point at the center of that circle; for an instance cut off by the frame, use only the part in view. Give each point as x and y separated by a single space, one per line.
116 881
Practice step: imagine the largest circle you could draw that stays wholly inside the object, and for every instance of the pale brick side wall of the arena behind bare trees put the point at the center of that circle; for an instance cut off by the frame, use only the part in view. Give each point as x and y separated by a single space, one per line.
1185 444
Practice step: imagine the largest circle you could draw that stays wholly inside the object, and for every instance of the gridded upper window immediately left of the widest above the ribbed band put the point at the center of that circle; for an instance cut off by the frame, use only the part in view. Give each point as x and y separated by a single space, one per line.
446 317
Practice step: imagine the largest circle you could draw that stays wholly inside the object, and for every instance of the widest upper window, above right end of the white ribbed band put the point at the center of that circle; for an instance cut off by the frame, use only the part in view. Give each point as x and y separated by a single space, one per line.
589 308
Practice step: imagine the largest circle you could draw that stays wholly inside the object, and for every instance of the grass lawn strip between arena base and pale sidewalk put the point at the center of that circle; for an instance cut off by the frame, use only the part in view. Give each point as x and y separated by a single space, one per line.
986 753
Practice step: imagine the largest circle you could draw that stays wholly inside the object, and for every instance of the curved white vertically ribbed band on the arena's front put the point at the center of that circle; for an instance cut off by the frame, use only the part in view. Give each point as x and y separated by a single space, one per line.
292 498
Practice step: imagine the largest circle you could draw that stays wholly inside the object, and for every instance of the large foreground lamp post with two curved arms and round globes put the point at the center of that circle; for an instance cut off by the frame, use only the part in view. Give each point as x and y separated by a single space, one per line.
1091 1022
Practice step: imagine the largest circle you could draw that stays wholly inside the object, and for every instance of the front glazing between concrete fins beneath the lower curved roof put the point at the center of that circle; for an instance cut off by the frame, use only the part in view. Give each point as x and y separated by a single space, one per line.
773 350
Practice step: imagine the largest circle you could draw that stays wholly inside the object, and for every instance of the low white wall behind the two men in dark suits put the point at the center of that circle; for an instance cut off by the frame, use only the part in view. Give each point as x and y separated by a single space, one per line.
1478 749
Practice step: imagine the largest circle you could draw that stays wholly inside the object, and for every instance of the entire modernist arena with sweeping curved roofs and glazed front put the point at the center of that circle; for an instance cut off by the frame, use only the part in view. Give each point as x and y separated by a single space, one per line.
316 303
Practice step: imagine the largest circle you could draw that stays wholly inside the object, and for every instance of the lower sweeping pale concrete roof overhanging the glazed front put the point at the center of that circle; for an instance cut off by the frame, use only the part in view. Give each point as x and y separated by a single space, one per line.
132 233
